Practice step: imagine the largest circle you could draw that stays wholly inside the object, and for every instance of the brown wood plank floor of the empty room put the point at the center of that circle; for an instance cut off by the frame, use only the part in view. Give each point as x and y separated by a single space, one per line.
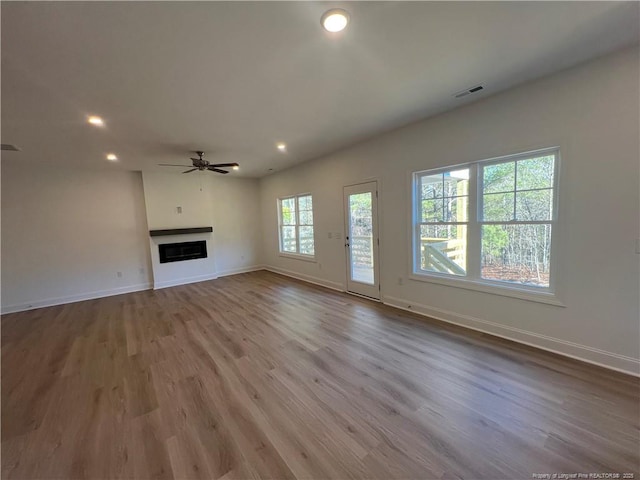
261 376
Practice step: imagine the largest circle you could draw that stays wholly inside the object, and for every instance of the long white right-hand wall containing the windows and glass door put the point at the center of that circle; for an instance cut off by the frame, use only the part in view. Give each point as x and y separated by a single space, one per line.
591 112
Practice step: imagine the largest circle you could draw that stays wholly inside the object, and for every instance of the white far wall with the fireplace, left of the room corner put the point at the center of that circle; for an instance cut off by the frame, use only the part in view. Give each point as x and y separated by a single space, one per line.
67 233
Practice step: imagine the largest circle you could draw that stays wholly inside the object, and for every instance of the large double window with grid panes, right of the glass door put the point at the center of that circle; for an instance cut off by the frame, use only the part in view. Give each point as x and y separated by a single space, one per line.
490 222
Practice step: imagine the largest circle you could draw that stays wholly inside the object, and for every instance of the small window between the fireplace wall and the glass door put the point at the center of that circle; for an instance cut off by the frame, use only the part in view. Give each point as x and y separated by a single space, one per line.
296 225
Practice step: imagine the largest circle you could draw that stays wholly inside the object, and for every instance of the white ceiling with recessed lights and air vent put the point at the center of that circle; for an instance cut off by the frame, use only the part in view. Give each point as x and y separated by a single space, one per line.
234 78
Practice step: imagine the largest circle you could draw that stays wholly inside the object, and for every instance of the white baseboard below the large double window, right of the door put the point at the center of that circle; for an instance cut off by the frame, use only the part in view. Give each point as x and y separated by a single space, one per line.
602 358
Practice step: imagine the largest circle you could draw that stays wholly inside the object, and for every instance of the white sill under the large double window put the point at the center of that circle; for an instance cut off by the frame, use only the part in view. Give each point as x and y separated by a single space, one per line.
492 288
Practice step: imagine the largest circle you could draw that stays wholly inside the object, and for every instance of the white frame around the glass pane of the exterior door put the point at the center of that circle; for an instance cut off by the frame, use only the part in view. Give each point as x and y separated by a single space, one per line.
375 292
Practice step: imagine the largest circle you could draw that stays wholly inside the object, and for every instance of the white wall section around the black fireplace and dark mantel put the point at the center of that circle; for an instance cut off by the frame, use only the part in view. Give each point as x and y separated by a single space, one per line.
229 205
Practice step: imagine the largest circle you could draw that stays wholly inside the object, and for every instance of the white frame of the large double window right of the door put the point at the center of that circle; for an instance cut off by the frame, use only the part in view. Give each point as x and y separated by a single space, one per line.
473 280
